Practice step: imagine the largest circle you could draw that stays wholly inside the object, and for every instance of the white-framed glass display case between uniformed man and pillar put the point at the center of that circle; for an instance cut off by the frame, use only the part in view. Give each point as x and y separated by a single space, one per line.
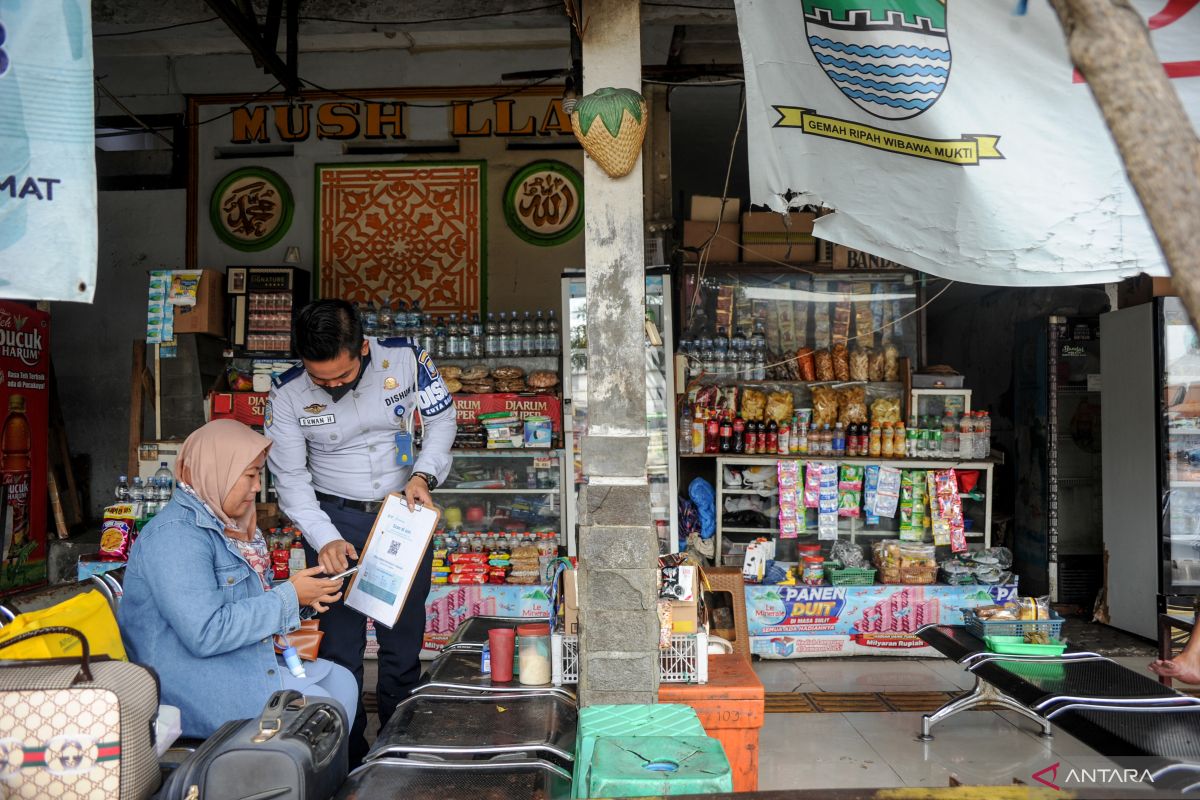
505 491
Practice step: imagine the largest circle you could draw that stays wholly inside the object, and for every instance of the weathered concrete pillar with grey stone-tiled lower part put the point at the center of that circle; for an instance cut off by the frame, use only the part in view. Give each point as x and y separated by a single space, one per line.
619 548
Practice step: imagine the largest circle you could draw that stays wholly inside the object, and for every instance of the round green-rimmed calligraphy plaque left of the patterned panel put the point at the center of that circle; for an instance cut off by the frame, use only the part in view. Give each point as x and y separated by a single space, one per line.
251 209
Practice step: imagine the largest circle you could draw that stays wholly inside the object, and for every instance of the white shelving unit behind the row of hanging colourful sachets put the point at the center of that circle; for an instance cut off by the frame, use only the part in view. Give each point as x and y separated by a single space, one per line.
749 509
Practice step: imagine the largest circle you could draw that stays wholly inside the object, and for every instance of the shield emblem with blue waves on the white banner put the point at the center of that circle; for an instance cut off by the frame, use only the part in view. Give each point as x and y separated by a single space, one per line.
892 58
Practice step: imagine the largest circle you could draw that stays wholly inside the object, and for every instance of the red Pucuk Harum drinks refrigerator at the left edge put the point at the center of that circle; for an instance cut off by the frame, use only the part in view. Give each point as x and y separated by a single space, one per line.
25 402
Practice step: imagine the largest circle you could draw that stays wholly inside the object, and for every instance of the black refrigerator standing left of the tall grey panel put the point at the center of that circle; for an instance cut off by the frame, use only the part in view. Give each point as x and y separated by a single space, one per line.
1059 525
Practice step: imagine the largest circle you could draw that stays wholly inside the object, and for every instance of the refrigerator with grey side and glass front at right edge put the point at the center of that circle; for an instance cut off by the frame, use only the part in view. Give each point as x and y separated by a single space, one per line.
1151 477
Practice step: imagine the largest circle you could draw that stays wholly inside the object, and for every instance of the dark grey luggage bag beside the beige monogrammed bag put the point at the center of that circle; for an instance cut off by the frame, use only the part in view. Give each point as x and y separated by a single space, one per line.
297 749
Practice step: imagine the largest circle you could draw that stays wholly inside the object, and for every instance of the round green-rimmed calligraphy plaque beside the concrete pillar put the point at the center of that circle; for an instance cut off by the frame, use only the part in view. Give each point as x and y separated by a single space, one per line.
544 203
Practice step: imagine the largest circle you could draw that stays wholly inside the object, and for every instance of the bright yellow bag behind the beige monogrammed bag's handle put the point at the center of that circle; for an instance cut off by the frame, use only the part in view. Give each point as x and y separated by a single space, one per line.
88 613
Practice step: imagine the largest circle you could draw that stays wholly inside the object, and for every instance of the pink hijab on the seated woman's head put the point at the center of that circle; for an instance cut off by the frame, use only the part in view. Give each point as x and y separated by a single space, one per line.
212 461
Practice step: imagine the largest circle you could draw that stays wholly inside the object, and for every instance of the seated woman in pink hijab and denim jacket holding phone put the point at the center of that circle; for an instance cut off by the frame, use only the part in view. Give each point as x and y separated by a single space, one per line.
200 607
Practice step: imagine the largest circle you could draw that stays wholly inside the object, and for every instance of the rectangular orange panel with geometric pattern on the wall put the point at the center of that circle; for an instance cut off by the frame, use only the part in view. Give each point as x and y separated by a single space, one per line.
413 231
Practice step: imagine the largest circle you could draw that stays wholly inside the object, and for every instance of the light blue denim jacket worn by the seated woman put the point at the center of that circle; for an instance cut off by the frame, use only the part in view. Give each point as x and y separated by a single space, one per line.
197 613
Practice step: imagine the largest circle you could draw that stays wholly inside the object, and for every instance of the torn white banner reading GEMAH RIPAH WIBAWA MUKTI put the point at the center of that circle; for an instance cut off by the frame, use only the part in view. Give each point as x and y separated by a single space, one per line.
956 137
